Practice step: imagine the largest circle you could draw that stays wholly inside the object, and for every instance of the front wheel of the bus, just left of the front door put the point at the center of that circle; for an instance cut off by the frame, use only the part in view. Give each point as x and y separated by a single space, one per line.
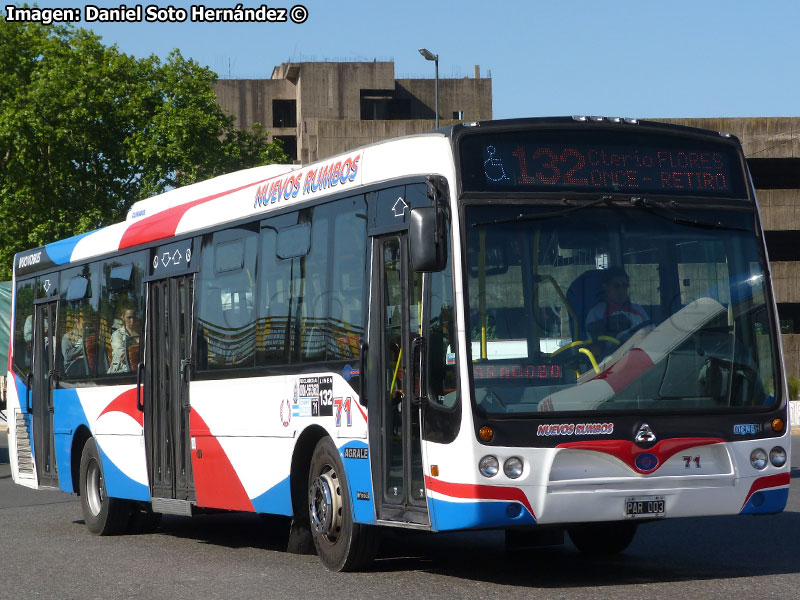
341 544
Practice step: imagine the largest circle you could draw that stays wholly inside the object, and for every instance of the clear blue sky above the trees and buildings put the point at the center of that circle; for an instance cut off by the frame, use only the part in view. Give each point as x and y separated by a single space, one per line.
679 58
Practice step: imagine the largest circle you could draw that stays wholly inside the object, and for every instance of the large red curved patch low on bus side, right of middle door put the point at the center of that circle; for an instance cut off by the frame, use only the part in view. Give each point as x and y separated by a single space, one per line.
216 483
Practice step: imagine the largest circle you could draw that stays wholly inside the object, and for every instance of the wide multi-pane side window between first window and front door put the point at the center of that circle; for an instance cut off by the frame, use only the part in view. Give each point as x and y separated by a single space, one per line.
311 278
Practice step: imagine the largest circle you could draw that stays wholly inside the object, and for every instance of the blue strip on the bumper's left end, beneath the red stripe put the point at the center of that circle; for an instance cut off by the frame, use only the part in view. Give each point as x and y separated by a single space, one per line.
469 515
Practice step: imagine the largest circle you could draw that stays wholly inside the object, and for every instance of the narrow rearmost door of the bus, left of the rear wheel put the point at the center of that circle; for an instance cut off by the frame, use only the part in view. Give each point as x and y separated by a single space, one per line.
43 381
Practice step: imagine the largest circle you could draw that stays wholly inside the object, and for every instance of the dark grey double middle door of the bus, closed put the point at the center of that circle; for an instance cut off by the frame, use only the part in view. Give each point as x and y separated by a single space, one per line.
166 393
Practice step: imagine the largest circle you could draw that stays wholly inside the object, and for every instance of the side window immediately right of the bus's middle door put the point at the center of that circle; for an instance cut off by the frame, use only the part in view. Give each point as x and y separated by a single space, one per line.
226 299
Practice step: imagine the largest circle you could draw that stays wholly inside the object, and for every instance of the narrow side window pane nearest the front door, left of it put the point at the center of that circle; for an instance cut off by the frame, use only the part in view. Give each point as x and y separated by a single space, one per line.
349 257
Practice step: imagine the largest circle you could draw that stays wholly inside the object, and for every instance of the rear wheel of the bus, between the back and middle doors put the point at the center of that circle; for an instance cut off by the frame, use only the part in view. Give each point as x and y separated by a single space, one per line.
102 515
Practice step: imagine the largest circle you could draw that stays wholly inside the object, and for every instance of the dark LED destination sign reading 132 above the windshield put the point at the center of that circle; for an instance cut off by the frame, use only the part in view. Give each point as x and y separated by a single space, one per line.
601 161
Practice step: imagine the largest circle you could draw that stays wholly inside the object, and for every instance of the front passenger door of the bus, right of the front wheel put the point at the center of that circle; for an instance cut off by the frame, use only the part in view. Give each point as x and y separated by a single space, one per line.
397 472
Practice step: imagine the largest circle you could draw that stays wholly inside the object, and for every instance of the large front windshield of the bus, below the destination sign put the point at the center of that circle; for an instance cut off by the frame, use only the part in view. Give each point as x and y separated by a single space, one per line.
617 308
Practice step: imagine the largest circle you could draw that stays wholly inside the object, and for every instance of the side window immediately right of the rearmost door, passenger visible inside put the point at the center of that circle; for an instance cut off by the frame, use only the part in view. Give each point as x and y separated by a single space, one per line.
77 328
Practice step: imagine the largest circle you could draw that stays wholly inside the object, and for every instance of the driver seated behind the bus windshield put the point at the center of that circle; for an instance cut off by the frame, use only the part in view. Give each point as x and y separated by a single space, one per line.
616 316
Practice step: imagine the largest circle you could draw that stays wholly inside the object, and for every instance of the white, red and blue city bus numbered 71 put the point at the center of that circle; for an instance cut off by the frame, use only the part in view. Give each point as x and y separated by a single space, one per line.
539 325
